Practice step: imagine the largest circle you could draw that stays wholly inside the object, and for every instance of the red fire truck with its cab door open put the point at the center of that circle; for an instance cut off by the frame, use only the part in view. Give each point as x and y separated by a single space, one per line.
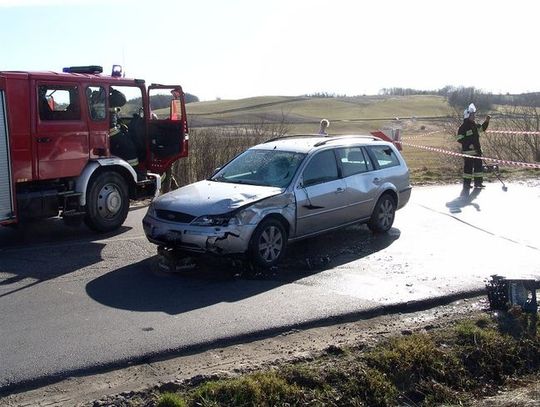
55 144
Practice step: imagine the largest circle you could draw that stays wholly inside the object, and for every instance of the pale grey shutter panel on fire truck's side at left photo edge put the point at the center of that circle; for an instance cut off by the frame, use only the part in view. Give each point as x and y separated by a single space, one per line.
6 198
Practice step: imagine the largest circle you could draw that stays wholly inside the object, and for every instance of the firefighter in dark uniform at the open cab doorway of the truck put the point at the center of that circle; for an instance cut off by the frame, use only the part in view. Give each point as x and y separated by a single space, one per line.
120 142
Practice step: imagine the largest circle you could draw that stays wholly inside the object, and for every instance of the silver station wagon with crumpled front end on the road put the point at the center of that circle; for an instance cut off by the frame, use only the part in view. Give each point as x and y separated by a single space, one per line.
281 191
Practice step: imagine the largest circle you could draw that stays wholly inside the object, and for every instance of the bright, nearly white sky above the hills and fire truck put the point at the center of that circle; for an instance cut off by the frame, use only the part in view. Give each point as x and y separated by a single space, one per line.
233 49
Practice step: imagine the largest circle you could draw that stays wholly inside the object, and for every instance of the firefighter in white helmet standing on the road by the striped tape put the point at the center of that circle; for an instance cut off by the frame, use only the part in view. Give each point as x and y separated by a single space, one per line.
469 137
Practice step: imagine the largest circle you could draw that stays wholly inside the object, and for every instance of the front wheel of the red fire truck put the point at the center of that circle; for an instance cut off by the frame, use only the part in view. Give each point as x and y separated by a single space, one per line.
107 202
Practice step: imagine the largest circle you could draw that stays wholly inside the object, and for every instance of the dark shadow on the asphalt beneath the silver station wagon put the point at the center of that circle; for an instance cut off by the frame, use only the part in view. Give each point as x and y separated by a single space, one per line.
143 287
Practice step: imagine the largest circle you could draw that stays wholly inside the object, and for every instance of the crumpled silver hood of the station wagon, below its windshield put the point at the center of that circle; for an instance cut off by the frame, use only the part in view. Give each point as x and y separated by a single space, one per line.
213 198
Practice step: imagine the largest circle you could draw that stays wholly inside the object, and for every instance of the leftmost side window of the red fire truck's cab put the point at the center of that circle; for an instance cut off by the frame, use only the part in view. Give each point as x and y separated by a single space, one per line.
59 102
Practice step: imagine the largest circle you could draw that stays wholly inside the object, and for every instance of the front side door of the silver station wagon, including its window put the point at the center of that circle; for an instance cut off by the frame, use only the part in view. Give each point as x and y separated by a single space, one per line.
320 195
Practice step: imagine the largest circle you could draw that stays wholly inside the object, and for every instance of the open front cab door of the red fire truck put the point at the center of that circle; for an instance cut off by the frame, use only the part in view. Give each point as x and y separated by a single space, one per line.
167 127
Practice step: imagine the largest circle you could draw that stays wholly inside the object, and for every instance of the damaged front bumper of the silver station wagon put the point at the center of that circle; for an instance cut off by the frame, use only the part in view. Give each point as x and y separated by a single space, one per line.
198 239
